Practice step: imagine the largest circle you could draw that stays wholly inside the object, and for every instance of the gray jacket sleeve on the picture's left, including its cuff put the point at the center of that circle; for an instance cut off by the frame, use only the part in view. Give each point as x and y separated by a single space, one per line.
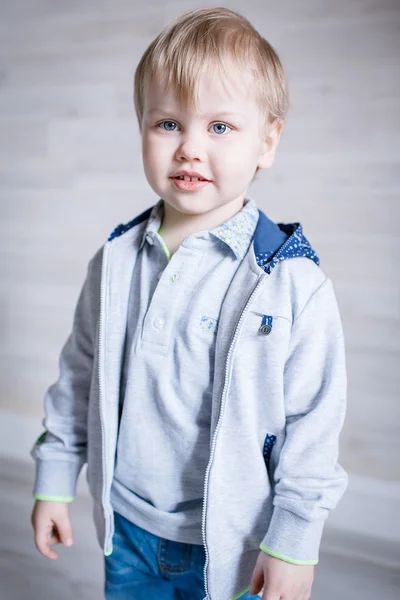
60 452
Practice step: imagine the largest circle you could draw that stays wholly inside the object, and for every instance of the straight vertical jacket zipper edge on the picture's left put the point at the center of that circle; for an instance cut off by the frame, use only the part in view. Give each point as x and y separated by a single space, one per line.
104 267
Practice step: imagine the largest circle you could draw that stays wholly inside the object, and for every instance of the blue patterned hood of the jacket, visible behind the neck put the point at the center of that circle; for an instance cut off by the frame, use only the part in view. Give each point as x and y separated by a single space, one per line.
273 242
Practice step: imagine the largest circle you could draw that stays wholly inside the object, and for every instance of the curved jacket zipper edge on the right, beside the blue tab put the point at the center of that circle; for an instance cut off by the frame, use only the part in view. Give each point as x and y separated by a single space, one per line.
227 366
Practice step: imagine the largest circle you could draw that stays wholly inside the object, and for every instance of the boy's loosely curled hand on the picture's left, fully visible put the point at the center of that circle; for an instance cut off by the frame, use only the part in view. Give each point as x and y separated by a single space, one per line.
52 525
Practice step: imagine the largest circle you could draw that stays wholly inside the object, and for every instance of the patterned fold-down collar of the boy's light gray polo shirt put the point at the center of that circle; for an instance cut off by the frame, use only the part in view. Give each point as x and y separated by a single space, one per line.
237 232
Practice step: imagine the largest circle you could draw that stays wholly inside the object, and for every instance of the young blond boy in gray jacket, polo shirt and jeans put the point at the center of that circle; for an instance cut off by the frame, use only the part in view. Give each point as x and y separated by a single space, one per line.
204 379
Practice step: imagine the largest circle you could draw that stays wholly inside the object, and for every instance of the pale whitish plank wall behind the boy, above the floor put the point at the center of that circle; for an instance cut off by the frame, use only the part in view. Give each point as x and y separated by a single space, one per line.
70 170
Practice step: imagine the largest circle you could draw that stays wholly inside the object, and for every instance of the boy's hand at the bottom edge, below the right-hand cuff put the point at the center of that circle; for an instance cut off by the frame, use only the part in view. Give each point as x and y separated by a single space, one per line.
281 580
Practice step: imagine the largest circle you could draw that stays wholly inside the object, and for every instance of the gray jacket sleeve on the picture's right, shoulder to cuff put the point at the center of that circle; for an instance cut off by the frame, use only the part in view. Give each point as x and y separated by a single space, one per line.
308 480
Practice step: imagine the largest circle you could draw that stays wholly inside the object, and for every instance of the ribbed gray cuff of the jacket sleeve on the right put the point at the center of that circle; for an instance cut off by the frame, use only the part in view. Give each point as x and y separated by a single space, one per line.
292 538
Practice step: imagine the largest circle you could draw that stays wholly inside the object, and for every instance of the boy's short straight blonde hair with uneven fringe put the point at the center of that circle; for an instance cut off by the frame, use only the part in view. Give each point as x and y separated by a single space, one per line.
216 37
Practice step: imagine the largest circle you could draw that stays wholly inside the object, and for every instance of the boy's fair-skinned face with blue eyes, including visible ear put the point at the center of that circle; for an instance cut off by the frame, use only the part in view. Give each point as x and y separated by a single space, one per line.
223 142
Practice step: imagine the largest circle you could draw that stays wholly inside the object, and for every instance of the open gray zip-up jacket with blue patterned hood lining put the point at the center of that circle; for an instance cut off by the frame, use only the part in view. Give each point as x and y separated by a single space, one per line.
278 407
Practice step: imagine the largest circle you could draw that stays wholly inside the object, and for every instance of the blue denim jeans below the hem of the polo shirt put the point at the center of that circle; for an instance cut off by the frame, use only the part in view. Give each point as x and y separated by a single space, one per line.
143 566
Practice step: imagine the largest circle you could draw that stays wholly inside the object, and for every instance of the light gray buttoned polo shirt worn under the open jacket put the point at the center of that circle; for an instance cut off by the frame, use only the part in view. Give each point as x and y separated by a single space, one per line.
167 374
